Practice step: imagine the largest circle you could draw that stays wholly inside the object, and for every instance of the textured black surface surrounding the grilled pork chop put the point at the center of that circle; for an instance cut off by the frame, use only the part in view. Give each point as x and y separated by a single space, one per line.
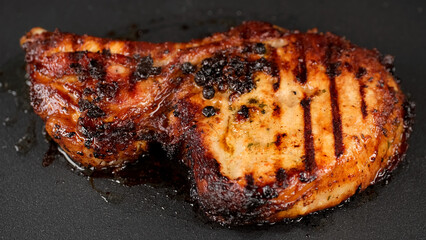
54 202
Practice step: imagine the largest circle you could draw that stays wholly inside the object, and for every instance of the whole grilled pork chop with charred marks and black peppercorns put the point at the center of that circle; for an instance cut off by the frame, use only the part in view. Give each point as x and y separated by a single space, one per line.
272 123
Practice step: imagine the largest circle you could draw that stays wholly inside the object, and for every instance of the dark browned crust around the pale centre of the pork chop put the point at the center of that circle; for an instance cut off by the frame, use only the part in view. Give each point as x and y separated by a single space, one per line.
97 117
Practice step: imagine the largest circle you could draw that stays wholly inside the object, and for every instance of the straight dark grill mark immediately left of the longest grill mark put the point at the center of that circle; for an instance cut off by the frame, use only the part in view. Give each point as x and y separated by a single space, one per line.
309 160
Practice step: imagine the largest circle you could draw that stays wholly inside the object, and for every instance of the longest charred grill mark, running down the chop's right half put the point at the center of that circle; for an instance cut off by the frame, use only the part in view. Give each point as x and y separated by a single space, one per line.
332 71
